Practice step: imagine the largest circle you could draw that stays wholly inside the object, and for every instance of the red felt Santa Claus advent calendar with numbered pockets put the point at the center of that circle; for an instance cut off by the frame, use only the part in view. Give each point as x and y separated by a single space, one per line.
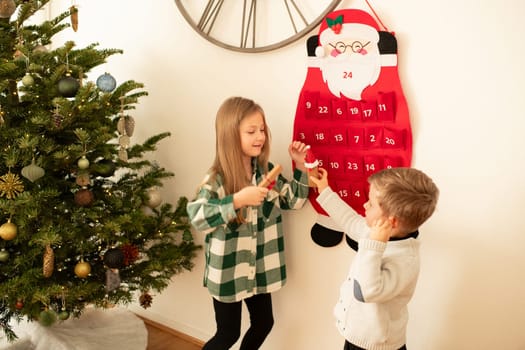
352 110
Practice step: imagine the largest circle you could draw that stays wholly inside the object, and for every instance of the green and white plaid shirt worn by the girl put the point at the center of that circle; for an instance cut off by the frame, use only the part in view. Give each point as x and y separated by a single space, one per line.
244 259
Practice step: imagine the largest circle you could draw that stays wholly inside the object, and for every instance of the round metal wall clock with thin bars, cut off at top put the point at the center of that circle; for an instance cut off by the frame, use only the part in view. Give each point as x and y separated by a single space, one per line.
254 26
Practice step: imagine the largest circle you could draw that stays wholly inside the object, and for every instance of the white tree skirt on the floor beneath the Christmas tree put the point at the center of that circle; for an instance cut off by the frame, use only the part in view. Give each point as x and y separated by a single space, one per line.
96 329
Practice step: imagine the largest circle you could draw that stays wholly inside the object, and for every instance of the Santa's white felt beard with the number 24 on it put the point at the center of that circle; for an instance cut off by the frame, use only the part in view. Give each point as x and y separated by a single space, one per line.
350 74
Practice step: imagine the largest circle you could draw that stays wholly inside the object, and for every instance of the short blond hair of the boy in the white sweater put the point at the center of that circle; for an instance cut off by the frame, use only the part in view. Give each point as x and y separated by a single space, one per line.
407 194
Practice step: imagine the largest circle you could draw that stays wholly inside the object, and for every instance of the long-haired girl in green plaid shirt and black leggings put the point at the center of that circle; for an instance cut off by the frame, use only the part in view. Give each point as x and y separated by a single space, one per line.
244 245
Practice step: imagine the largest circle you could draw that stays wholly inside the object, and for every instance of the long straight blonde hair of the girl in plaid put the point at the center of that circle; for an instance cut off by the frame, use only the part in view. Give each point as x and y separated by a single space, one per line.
228 154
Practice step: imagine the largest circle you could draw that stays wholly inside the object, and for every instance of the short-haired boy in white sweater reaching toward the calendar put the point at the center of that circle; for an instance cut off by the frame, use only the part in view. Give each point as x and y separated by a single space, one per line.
372 309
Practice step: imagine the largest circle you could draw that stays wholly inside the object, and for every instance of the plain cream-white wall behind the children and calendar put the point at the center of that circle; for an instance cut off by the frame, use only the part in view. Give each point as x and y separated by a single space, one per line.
461 64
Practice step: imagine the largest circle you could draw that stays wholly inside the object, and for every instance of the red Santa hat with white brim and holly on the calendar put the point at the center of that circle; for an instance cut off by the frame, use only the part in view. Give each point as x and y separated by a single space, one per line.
341 24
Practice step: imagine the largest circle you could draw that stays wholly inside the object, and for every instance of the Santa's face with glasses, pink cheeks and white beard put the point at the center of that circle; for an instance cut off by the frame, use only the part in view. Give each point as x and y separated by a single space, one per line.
349 66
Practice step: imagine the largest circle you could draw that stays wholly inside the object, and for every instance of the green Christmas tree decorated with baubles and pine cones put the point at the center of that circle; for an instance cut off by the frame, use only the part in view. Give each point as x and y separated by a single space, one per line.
82 221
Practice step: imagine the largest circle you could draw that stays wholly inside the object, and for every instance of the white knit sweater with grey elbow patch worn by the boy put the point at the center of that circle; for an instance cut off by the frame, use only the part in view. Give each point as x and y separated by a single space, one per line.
372 308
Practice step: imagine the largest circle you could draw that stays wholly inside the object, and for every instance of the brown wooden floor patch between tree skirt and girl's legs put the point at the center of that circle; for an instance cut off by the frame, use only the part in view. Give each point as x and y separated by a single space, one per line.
161 337
